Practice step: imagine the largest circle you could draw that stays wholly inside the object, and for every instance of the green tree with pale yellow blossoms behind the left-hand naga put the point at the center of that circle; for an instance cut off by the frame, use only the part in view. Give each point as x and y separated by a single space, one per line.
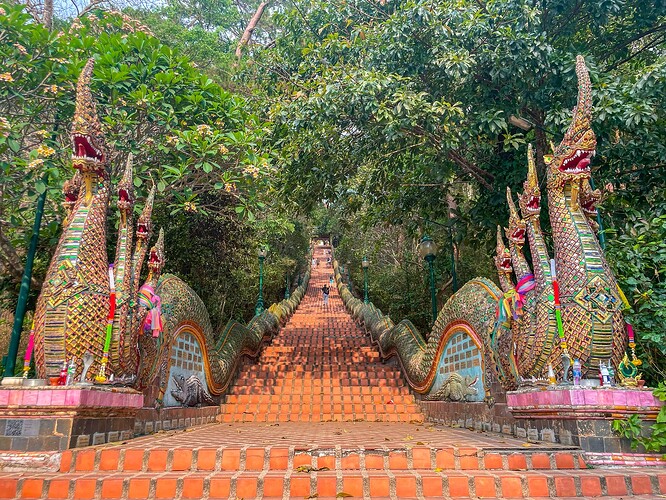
198 142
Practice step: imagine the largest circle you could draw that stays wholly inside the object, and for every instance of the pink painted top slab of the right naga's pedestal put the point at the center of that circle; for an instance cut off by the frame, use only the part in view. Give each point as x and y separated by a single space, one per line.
584 400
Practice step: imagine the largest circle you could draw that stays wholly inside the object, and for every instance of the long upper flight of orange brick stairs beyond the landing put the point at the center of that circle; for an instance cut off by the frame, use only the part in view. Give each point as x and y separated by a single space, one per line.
321 367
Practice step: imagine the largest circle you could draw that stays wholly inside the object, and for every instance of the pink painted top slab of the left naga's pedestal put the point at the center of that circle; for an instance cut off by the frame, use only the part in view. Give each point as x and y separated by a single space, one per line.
69 397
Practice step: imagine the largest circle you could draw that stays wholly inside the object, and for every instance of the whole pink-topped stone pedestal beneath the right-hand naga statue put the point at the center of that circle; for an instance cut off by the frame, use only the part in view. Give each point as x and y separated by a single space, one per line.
579 417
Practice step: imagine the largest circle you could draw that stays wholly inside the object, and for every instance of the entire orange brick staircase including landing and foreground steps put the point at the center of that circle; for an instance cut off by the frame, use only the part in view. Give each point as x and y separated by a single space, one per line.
319 416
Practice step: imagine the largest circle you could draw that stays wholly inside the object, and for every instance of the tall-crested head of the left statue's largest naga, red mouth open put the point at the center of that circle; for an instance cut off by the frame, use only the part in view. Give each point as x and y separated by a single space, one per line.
87 139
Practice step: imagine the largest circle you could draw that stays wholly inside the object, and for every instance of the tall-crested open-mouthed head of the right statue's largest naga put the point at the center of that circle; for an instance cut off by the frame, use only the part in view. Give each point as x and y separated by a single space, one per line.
571 158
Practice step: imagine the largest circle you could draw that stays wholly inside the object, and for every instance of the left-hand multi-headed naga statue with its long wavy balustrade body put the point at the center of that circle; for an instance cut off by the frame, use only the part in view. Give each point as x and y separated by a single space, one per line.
157 333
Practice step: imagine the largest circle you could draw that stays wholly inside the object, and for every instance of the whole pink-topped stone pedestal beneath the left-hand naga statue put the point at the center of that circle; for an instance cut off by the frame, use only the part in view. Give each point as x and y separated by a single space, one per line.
58 418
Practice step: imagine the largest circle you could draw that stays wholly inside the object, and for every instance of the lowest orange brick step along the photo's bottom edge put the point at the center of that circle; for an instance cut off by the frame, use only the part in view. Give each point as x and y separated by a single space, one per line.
413 484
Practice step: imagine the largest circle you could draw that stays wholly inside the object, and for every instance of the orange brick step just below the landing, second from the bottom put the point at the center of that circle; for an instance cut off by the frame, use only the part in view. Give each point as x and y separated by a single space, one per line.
290 458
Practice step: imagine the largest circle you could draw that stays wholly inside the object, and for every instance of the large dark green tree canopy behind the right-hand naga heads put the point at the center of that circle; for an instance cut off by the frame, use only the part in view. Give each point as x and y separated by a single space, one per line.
385 110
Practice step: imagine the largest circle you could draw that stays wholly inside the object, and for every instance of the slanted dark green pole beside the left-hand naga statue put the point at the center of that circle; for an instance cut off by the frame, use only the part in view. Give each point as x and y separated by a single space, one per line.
22 303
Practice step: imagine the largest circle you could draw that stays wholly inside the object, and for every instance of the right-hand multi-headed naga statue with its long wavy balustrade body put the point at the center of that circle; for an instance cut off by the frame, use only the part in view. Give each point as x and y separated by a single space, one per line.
511 335
